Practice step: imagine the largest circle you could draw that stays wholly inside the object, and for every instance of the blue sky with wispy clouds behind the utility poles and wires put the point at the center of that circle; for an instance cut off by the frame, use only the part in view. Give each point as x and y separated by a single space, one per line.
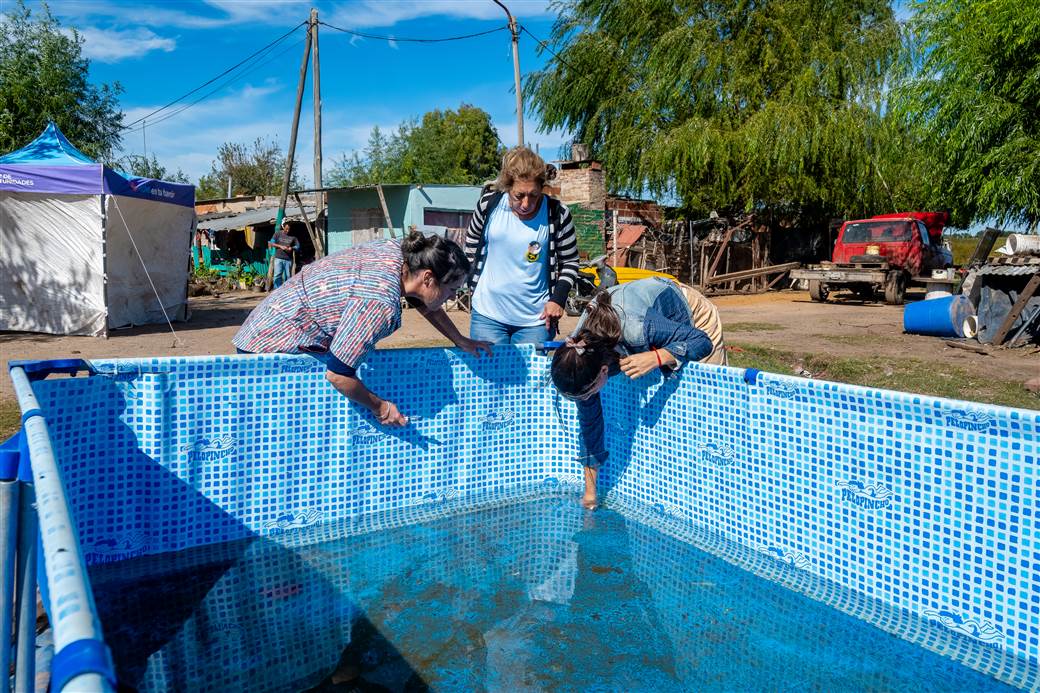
160 50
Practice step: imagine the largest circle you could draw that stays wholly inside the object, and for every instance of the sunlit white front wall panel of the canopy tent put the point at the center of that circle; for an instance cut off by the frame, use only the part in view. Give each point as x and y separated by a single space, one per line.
51 268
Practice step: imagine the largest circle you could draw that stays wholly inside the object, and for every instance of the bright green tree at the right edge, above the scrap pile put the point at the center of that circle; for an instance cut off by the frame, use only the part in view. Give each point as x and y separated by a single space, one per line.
973 91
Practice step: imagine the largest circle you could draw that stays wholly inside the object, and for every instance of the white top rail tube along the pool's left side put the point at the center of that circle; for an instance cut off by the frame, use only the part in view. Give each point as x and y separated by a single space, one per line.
72 611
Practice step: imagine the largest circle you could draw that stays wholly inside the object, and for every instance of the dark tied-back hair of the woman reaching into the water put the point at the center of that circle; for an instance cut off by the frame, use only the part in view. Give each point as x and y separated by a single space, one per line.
575 372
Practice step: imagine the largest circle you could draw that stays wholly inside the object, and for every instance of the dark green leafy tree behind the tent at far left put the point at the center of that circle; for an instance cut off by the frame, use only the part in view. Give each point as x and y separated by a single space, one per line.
44 78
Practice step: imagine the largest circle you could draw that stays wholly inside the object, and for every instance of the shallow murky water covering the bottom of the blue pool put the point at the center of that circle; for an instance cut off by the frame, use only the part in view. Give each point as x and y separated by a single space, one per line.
533 596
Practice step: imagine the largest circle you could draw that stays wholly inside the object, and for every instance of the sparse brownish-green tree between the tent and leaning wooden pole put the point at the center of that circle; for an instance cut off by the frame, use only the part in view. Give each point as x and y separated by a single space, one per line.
253 170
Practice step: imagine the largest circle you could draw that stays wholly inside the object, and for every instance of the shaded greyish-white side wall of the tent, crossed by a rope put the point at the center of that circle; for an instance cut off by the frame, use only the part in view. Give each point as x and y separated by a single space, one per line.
163 234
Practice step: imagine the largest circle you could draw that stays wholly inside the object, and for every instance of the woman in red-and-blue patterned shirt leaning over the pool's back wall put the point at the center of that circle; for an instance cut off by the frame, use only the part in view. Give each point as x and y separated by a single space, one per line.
343 305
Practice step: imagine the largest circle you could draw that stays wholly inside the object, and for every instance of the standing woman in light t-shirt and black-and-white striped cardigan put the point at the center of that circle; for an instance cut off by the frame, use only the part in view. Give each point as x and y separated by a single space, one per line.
524 249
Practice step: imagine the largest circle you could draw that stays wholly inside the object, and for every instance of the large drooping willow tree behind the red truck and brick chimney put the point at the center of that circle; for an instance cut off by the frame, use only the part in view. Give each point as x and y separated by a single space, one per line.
733 106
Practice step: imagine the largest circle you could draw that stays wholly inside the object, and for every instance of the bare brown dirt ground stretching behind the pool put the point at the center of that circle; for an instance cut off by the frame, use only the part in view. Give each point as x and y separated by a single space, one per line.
785 321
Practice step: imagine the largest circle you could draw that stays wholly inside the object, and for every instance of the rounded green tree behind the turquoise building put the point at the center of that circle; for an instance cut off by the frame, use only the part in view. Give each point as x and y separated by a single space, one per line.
446 147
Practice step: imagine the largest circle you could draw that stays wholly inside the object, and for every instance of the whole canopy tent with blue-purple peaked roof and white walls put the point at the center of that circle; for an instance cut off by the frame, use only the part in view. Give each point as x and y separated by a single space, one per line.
87 248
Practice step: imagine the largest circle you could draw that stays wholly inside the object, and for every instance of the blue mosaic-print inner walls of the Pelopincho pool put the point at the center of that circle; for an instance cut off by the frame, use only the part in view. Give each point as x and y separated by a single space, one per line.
925 504
